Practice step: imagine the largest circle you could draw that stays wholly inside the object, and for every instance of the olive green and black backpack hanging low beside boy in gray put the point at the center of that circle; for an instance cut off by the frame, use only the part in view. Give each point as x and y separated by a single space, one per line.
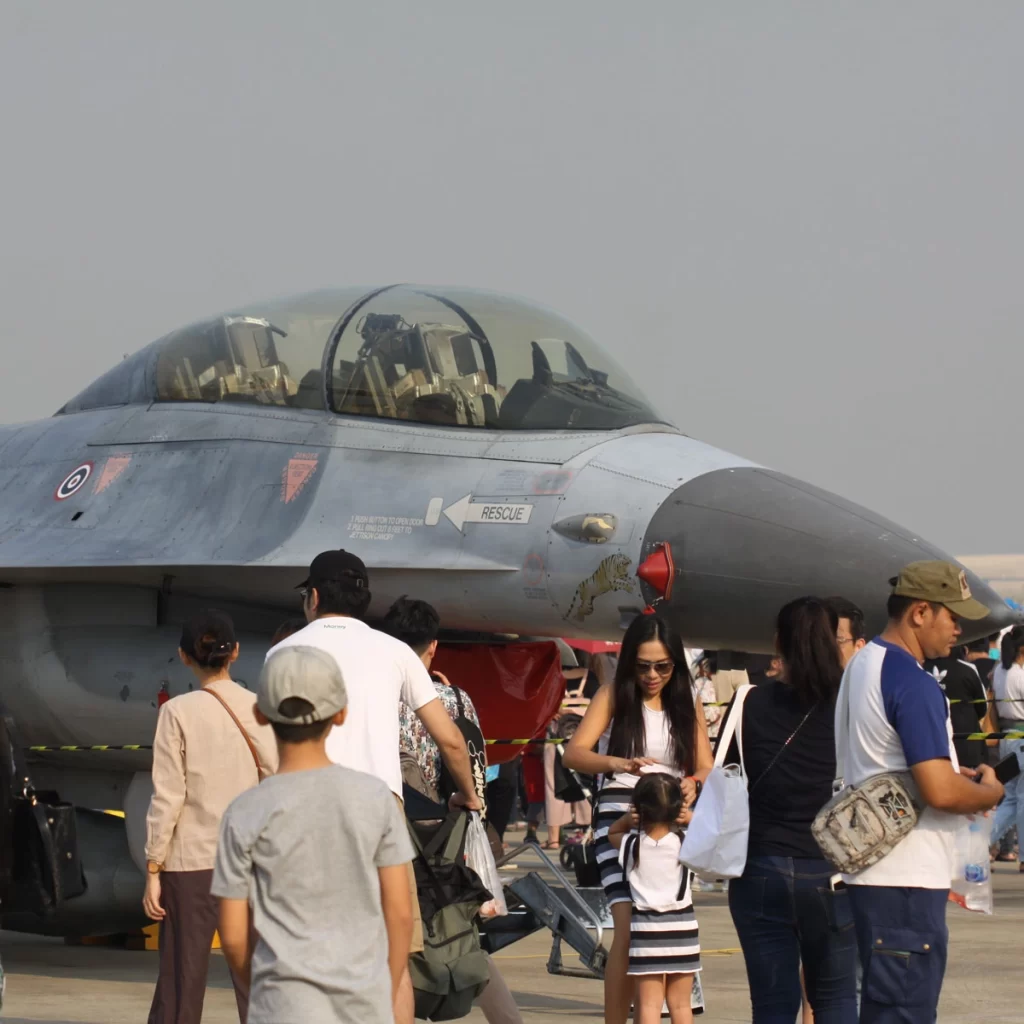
452 970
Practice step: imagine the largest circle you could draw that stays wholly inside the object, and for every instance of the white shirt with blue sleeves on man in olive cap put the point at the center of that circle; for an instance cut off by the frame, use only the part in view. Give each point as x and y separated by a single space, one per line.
899 718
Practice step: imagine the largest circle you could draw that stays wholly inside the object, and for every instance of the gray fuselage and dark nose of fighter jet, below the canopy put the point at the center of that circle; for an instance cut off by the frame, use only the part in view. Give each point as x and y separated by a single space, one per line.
188 504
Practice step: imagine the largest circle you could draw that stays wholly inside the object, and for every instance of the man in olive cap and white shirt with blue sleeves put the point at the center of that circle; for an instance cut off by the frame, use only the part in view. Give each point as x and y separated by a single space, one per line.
900 721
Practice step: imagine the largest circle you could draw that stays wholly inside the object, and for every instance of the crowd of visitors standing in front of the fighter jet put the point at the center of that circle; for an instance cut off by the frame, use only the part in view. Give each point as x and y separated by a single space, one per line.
281 822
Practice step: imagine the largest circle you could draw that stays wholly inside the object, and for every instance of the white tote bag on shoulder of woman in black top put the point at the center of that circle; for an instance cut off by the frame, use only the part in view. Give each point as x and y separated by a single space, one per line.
715 845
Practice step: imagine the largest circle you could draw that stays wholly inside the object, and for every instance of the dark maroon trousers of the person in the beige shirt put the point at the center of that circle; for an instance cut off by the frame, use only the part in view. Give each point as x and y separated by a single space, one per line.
186 937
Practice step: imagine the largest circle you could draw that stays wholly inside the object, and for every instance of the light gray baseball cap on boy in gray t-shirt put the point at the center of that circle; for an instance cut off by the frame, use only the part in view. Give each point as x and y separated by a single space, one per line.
302 672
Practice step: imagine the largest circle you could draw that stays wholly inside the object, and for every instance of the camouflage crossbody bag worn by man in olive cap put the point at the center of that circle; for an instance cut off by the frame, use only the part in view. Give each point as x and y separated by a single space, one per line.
864 824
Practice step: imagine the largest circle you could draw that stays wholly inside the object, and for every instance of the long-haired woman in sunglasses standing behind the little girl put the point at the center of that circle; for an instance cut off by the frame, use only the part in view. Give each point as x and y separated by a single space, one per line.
646 720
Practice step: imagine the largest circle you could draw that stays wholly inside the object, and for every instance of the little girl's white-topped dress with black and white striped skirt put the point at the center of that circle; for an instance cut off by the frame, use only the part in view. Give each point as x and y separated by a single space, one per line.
664 936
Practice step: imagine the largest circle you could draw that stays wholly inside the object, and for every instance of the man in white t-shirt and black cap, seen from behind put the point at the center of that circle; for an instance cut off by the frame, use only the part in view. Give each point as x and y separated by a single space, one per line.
379 672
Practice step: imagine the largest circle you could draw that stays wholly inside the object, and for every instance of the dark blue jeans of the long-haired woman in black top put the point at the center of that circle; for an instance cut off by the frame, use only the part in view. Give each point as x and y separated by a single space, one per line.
786 915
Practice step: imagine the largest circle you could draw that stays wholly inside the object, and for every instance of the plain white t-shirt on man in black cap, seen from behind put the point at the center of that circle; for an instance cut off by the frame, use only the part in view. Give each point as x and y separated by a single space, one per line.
379 671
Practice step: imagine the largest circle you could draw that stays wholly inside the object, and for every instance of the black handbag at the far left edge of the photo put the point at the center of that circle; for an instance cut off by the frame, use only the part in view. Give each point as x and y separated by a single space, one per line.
44 854
